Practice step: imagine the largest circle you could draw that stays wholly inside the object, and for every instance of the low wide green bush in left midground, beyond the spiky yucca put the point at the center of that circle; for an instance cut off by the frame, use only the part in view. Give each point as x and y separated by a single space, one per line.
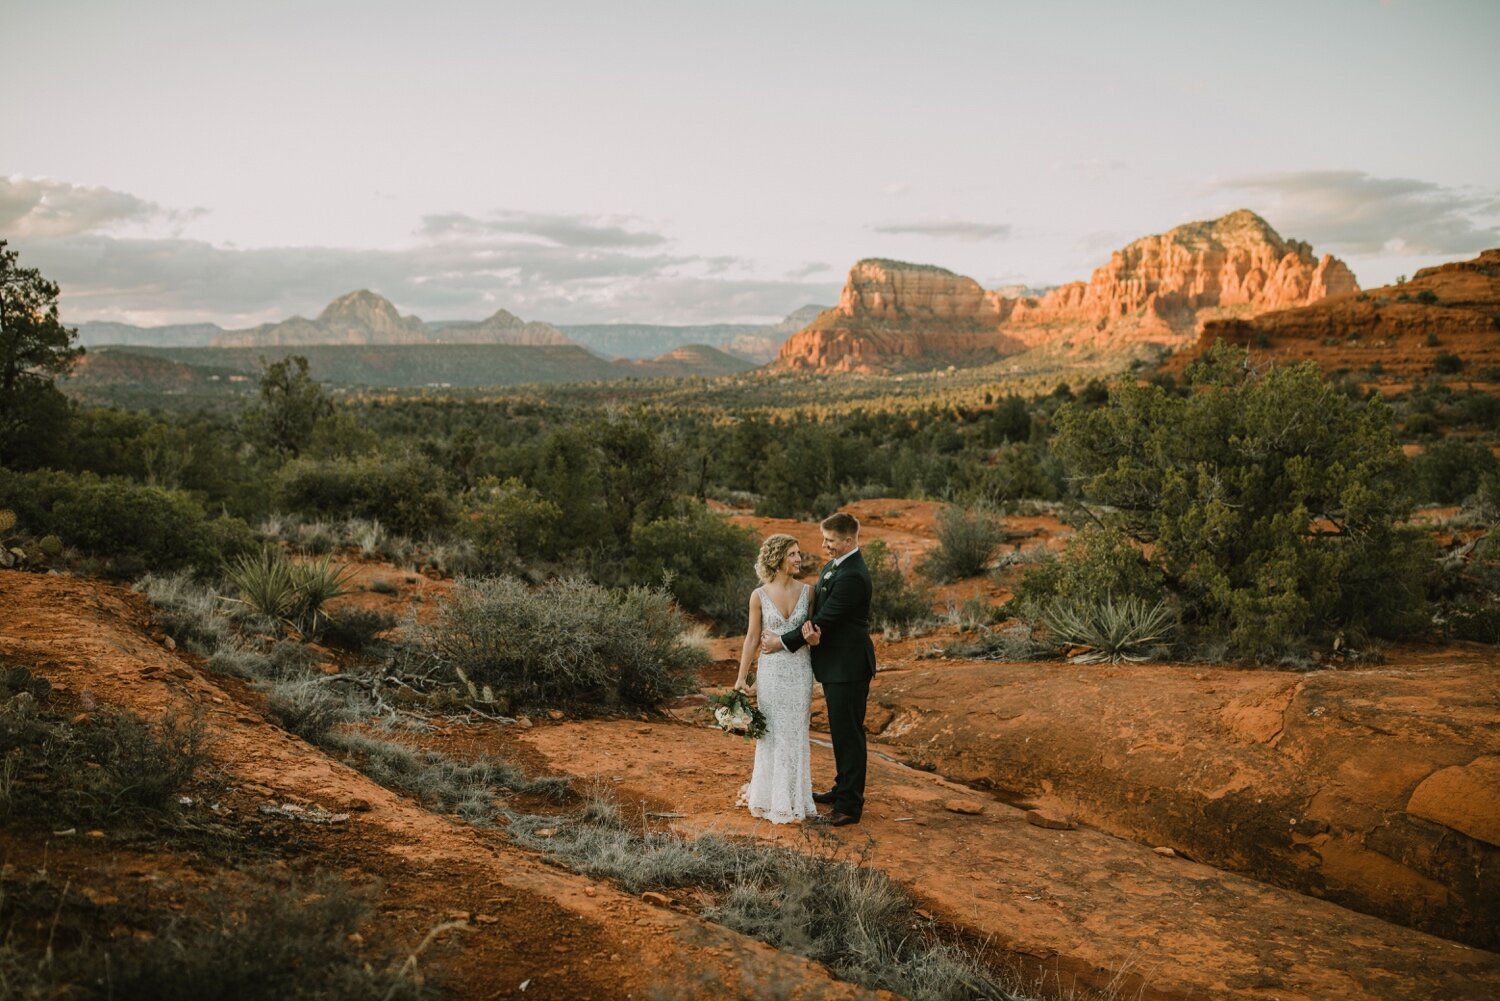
407 493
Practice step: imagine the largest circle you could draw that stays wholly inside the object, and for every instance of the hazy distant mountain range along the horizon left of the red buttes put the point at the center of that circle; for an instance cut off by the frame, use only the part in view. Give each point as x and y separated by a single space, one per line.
367 319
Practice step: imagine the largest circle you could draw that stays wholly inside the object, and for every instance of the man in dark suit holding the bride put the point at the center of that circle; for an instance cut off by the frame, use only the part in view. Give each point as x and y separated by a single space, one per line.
844 660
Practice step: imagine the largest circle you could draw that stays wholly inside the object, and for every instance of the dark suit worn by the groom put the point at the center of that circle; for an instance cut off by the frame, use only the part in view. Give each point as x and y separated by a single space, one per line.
844 663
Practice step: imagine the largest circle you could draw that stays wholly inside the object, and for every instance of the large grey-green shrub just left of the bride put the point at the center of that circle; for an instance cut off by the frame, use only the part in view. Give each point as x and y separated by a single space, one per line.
566 643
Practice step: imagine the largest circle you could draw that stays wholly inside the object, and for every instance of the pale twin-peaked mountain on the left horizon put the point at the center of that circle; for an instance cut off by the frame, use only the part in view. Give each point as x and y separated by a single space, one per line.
364 317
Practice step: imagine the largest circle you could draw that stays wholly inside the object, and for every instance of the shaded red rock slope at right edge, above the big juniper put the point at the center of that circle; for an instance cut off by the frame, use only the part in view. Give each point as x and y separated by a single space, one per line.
1390 334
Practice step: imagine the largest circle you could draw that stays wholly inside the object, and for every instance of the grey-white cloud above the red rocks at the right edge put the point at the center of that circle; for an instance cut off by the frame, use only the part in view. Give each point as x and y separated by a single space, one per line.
1352 212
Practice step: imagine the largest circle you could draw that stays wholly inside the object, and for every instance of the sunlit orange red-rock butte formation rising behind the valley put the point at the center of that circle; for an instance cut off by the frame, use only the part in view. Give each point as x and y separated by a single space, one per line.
1160 289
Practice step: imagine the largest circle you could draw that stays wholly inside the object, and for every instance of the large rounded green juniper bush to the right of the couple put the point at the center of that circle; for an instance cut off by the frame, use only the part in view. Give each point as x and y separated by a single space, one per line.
1273 505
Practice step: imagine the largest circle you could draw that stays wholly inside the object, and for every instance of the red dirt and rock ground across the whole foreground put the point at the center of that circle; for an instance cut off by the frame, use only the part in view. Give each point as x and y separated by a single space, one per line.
1346 765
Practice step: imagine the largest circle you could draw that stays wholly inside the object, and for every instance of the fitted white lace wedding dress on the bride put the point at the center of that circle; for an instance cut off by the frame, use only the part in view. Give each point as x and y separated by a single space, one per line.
781 787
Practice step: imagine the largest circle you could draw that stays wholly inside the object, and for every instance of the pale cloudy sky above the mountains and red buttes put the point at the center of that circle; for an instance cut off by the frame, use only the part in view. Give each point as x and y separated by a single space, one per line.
709 161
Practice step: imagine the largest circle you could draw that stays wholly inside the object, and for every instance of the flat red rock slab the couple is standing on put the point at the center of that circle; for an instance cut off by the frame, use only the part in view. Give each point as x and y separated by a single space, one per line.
1070 909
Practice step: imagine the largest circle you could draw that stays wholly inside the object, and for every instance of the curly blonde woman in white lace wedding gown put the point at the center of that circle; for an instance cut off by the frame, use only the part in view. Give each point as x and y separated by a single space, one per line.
781 789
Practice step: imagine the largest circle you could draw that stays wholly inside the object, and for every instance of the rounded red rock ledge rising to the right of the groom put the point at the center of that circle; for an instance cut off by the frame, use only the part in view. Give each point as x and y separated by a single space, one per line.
1372 787
